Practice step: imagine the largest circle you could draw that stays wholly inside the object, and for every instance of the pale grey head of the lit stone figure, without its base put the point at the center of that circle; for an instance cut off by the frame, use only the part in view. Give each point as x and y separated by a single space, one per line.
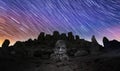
60 47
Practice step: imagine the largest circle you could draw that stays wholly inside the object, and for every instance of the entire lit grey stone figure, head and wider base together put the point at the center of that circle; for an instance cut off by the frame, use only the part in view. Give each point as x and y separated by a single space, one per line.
59 51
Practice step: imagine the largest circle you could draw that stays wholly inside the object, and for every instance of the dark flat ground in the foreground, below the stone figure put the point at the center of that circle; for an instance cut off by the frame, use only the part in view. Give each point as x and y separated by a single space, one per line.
85 63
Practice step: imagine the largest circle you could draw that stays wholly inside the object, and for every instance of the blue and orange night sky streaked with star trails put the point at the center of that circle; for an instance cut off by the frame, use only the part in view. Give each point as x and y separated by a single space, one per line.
24 19
